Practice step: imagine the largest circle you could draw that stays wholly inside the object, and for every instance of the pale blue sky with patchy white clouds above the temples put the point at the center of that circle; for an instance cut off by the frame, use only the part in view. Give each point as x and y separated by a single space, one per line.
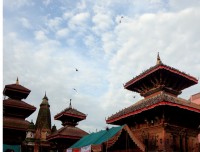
108 41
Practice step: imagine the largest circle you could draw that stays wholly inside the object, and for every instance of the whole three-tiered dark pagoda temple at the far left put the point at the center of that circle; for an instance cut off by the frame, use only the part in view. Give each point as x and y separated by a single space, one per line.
15 111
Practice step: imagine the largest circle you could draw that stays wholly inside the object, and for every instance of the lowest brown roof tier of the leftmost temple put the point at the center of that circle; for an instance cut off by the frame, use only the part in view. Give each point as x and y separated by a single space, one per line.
15 123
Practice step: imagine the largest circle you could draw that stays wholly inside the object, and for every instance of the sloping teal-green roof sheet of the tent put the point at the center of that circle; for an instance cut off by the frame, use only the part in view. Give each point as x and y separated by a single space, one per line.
97 138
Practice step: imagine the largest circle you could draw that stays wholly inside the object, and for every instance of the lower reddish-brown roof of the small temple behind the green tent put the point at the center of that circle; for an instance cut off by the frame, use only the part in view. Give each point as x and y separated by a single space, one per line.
68 132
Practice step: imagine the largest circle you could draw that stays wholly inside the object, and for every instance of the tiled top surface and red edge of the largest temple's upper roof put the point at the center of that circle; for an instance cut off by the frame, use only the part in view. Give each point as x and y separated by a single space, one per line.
161 66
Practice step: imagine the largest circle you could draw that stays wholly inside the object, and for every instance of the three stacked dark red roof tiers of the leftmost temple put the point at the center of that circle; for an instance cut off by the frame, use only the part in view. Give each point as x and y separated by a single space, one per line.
14 109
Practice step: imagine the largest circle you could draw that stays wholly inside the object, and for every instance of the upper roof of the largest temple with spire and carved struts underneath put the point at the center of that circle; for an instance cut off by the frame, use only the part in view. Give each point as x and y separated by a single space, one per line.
160 78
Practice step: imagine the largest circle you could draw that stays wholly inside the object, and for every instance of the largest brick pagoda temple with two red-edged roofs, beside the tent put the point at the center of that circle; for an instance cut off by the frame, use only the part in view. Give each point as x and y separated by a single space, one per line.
162 120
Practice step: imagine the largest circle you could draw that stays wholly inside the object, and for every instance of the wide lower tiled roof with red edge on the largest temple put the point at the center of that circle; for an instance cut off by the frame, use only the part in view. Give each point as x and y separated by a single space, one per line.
149 103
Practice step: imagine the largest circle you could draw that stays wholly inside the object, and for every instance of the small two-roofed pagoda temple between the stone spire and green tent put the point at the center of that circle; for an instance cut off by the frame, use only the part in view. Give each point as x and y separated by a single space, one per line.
69 133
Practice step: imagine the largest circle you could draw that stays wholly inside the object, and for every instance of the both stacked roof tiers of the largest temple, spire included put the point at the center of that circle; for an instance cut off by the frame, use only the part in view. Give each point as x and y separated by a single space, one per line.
160 86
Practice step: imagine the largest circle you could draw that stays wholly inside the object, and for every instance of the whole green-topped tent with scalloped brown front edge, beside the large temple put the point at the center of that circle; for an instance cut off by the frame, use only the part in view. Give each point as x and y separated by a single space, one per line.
95 141
